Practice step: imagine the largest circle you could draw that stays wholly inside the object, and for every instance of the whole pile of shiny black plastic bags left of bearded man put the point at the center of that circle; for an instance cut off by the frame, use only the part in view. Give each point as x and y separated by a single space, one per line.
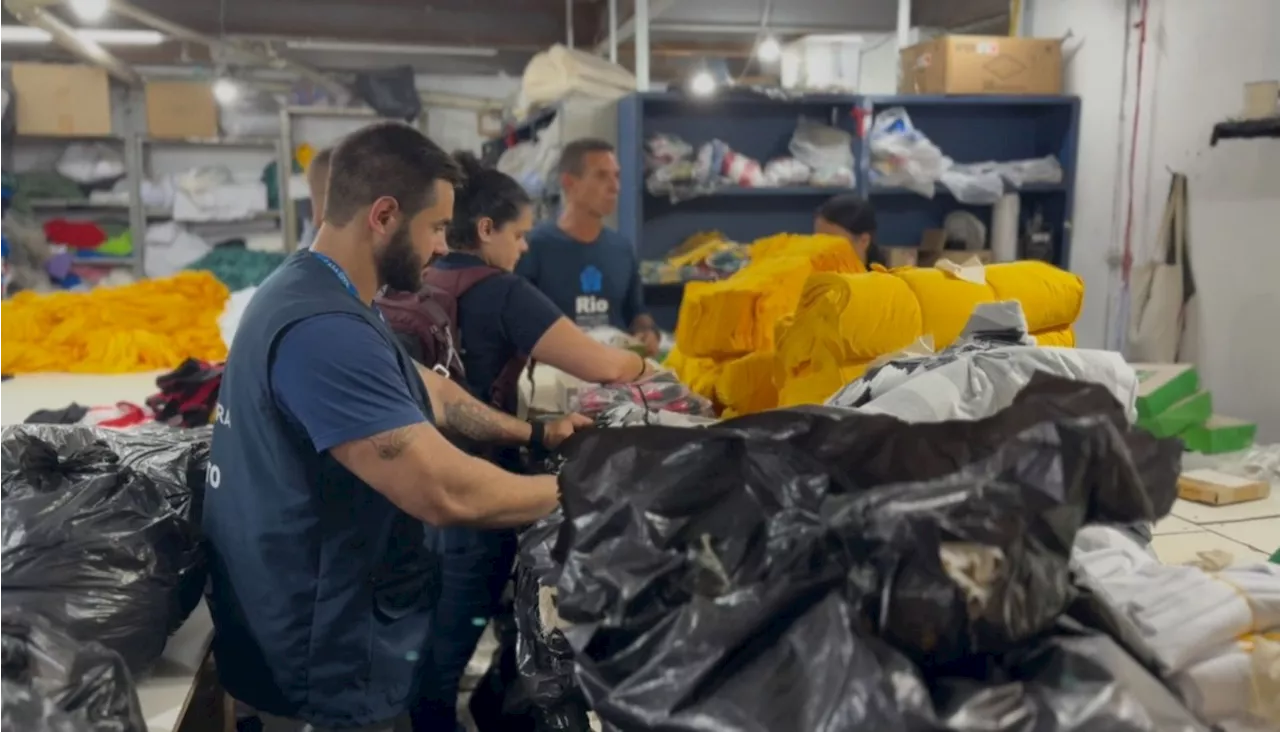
100 561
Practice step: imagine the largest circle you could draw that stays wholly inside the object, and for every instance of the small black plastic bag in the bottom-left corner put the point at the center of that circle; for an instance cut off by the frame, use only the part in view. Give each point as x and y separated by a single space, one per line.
52 683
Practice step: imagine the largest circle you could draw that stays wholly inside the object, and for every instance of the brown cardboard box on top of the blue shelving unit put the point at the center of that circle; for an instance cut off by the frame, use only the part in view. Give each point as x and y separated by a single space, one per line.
984 65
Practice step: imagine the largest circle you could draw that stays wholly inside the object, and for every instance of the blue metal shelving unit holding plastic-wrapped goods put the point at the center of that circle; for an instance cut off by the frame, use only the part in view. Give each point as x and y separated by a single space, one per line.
967 129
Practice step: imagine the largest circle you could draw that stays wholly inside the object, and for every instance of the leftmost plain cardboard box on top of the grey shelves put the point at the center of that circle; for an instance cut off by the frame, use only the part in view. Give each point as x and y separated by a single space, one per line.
62 100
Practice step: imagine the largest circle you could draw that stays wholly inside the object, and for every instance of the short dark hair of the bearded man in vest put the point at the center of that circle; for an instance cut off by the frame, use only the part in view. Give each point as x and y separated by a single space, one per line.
386 159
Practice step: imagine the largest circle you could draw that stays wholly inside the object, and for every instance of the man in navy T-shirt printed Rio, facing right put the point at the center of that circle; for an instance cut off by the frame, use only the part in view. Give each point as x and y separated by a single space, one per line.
589 272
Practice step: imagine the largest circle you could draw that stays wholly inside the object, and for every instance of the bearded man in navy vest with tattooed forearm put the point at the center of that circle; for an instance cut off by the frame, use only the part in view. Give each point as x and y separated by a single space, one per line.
328 457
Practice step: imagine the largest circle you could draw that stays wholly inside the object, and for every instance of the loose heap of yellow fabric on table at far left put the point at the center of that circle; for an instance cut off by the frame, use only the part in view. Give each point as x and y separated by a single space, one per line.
150 326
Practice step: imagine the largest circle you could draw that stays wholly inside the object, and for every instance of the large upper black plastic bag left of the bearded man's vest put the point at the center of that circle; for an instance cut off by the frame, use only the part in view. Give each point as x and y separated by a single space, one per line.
100 550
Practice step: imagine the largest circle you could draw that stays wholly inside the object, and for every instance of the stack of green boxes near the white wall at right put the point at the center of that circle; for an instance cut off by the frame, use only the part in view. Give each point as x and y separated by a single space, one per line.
1173 404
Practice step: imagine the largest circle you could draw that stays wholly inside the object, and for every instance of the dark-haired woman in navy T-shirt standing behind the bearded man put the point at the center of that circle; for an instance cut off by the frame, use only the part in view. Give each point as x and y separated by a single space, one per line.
502 321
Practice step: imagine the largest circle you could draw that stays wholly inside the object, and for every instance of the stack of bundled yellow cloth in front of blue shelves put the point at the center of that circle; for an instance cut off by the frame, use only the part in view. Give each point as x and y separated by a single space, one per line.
806 318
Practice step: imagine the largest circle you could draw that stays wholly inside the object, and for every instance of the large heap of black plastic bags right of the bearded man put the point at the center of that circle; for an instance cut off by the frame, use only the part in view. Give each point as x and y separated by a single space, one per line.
824 570
